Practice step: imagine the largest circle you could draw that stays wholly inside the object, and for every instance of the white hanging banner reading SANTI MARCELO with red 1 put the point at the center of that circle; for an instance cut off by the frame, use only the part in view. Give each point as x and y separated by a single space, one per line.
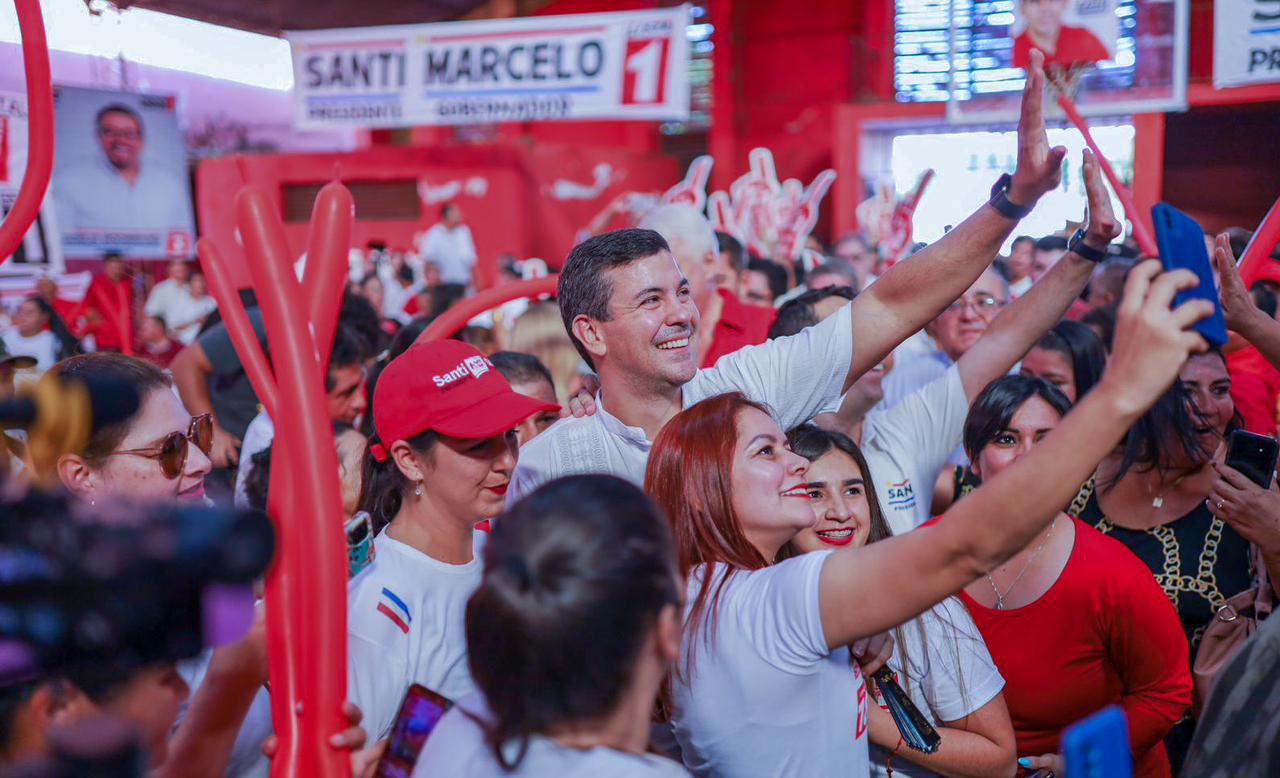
612 66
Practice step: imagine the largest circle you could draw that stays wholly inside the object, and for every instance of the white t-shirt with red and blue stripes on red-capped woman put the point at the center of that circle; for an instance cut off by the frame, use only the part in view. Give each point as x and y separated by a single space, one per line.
406 623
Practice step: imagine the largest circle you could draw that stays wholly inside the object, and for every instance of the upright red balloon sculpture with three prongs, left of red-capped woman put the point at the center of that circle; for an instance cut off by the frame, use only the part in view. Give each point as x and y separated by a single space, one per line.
307 589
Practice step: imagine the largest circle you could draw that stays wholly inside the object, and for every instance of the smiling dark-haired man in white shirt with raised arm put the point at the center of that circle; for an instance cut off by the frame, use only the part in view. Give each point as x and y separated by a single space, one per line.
628 309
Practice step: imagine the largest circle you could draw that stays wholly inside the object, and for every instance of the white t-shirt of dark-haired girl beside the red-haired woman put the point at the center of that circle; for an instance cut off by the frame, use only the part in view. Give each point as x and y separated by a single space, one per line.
950 674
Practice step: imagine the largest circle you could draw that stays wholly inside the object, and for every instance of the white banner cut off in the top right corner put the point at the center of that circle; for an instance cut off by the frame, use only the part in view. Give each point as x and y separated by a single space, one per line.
1246 43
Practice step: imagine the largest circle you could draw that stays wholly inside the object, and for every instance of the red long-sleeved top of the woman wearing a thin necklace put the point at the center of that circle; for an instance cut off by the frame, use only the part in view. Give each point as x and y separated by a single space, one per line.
1104 634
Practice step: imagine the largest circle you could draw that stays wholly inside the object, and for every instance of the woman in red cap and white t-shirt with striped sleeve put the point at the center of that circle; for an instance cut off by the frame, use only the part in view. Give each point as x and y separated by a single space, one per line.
441 463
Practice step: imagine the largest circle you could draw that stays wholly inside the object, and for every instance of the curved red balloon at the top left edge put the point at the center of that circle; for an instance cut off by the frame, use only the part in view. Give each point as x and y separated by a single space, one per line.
40 130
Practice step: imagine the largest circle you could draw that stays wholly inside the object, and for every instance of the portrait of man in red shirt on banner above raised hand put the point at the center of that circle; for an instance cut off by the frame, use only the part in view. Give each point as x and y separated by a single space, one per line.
1067 31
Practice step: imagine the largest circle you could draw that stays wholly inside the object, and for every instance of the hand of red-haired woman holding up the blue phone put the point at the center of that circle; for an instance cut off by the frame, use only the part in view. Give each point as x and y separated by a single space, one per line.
1153 341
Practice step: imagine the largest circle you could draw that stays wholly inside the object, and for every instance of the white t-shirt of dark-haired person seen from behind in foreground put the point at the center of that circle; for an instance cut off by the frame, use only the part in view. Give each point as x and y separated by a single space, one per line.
458 749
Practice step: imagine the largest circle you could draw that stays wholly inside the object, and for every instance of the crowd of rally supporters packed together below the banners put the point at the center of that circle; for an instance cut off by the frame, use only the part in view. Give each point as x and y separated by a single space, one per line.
676 520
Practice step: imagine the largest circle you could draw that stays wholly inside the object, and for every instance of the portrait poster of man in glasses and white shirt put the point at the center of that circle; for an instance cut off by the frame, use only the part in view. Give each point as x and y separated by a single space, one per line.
121 179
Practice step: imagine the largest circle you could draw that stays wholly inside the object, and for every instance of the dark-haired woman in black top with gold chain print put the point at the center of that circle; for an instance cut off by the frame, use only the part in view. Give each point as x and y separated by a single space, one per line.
1156 496
